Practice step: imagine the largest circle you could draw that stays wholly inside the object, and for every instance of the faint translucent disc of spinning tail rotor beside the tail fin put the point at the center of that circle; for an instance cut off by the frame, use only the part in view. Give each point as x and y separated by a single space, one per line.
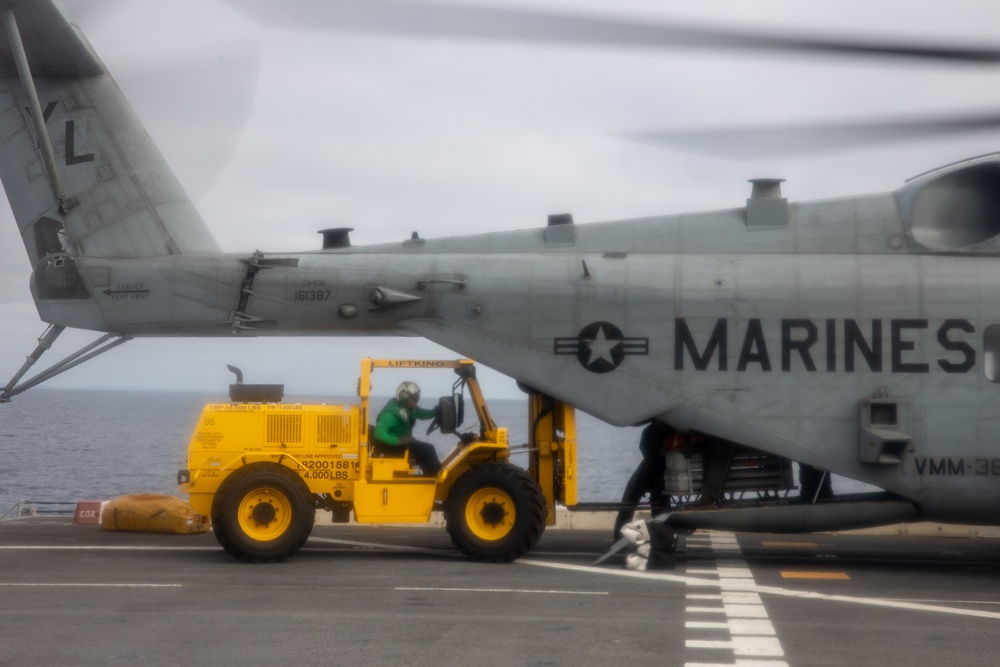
194 100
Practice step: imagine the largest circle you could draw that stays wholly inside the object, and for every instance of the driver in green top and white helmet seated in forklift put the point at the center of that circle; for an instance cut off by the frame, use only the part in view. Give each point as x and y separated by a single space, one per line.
394 429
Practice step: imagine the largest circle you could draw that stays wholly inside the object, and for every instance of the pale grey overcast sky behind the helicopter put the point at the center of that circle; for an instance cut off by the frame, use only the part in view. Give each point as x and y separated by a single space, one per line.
286 132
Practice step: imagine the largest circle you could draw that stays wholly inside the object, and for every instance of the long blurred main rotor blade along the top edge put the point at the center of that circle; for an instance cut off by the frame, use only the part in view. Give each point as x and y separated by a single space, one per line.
434 19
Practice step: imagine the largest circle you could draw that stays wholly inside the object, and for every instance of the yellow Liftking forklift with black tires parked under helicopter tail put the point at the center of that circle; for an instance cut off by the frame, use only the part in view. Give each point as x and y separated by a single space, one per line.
261 468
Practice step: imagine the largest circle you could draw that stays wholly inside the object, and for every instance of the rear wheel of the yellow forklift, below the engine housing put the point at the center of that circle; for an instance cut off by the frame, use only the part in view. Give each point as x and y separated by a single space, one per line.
263 513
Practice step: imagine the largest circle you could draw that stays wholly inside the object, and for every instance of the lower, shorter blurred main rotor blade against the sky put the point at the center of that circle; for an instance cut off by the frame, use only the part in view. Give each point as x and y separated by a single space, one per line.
762 142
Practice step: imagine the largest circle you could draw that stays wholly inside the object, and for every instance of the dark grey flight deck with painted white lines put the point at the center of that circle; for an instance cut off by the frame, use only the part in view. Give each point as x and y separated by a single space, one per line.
404 596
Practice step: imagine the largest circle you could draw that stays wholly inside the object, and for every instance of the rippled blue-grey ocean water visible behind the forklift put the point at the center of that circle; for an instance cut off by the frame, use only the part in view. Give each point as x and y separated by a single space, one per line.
73 445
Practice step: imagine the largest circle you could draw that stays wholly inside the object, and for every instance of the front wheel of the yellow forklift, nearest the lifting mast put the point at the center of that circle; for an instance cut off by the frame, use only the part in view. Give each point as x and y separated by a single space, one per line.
495 512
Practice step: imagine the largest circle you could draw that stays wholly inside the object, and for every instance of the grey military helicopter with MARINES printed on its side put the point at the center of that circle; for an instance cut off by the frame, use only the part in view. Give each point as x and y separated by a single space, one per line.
852 335
